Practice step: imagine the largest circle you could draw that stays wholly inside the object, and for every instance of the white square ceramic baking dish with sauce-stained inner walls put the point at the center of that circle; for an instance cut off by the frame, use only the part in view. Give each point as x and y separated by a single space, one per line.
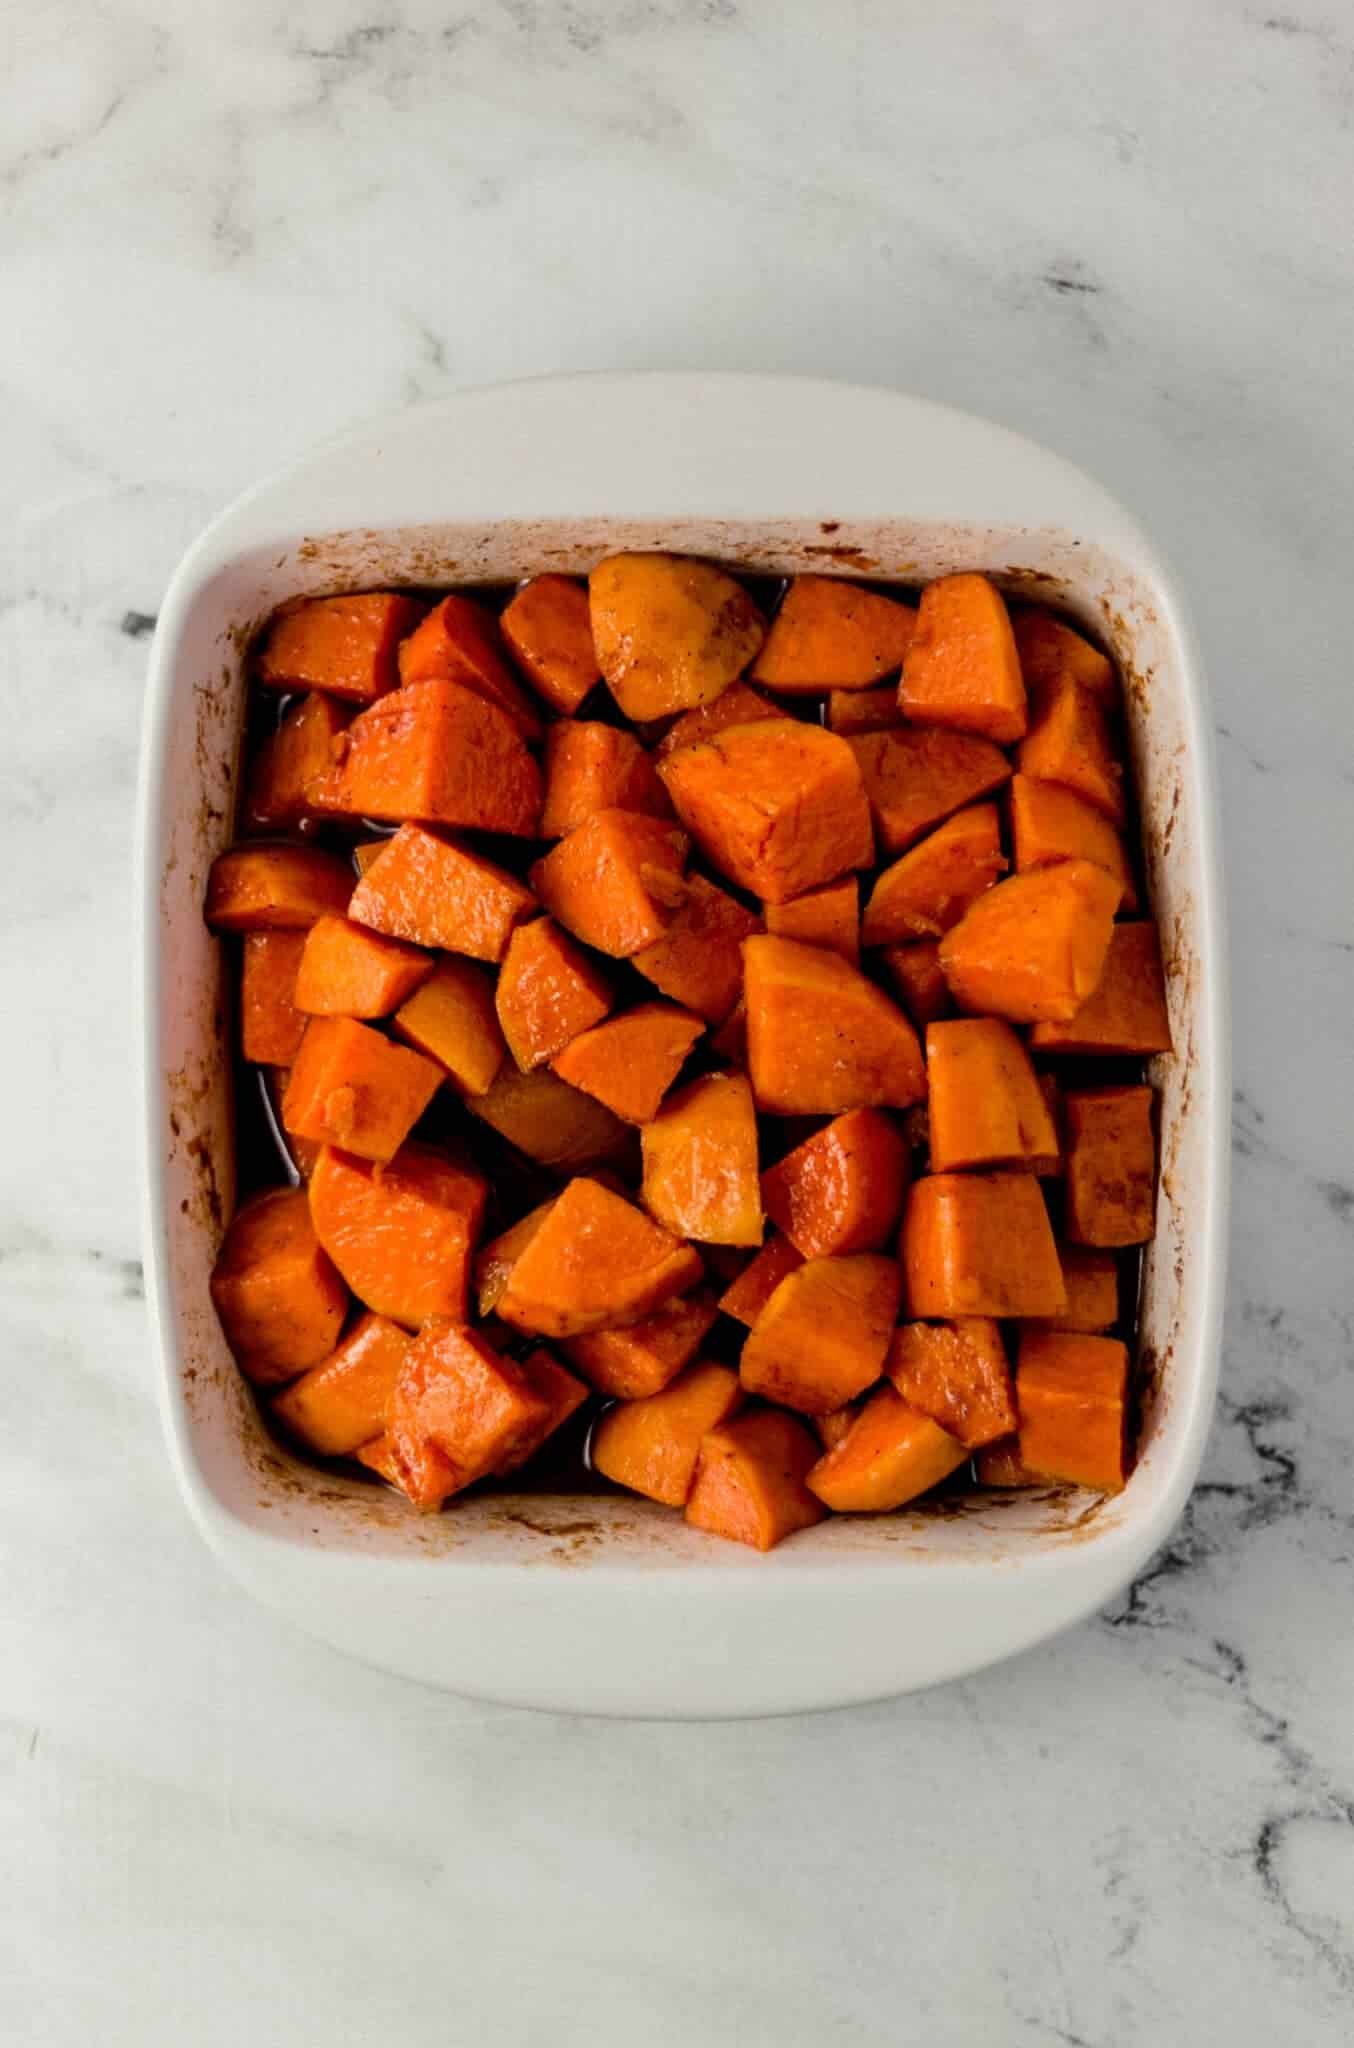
611 1605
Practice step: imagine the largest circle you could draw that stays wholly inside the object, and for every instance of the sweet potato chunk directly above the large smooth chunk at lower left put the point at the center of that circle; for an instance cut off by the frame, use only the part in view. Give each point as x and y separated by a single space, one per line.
351 1086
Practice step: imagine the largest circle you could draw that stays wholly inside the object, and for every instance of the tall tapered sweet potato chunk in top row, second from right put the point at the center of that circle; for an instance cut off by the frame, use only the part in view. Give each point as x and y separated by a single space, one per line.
962 667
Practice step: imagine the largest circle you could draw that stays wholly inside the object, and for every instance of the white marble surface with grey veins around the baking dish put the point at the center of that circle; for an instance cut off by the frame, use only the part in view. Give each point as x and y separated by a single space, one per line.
232 228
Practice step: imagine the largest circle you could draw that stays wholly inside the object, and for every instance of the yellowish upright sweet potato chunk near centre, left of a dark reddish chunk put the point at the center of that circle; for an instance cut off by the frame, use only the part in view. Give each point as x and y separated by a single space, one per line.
702 1162
